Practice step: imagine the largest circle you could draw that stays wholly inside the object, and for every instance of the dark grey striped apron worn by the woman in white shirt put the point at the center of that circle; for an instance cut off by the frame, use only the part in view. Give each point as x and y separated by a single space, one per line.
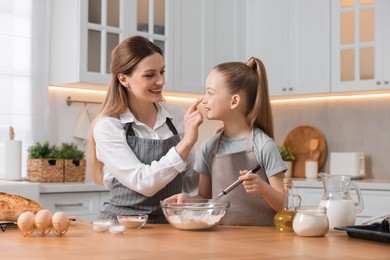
124 201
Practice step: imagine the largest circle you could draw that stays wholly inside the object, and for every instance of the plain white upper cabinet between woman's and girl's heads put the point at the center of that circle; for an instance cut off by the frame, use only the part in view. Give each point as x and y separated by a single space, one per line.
205 33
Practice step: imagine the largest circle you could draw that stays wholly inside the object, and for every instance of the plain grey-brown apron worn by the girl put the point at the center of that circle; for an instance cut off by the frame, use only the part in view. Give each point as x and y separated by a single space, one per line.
245 209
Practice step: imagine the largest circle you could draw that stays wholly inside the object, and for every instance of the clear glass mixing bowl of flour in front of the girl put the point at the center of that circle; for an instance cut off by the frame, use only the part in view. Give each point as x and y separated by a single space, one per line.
194 214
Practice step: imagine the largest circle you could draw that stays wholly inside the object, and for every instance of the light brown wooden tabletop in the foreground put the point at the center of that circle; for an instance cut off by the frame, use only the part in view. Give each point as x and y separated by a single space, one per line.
165 242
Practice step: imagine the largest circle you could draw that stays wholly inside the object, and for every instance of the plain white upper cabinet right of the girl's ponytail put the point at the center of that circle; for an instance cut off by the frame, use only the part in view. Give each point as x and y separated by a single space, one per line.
292 38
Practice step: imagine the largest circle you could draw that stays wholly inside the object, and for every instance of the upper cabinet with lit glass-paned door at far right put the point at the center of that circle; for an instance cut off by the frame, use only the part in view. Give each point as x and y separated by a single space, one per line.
360 45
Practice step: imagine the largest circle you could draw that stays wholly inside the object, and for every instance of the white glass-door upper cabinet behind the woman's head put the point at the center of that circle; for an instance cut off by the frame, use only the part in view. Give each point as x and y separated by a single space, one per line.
84 33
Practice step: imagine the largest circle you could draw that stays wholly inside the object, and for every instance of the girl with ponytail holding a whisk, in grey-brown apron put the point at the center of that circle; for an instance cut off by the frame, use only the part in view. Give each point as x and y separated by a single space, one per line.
237 94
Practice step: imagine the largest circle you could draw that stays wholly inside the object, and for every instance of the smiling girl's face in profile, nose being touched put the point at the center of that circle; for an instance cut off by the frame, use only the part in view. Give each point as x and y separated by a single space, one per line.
217 99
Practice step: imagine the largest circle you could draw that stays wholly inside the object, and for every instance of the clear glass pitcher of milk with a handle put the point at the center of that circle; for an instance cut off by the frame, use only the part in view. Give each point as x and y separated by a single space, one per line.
340 208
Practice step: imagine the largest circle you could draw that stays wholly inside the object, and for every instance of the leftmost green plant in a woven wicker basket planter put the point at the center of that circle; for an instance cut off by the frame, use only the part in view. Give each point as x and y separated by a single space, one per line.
44 163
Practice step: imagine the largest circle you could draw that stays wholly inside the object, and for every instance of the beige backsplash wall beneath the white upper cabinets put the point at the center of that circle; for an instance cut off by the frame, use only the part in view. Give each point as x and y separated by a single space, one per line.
349 126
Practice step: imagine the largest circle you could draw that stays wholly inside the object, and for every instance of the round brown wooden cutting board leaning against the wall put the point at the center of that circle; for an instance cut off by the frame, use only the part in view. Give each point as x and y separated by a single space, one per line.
298 140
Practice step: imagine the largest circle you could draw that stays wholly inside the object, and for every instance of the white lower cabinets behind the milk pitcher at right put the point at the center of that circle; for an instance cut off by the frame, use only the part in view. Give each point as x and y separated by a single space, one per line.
376 196
